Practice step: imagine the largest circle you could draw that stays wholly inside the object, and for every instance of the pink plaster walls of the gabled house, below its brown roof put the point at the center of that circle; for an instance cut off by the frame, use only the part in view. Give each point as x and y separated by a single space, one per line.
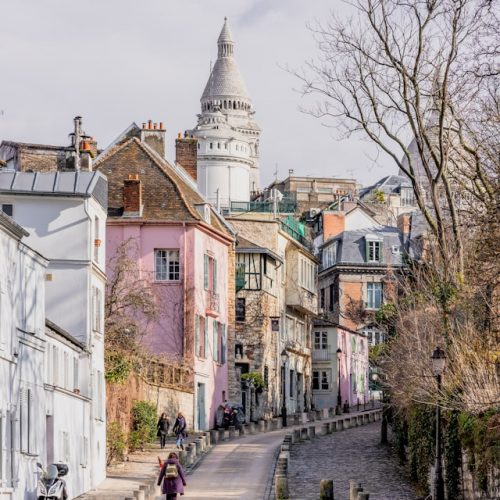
180 302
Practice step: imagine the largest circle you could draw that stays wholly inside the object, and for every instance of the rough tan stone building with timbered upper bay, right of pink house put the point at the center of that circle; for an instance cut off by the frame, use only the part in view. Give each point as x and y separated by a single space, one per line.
276 302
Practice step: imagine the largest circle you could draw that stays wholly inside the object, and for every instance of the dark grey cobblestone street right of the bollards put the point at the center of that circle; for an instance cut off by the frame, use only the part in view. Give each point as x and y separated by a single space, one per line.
350 454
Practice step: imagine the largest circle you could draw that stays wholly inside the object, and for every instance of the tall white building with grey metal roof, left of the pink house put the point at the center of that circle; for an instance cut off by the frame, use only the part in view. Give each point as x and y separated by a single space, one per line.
65 214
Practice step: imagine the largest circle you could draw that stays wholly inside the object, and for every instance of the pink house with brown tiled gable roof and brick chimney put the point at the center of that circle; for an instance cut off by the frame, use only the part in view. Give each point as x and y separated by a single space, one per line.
186 251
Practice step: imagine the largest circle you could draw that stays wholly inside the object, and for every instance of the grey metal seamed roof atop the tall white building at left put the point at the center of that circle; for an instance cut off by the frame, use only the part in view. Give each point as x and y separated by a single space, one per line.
78 184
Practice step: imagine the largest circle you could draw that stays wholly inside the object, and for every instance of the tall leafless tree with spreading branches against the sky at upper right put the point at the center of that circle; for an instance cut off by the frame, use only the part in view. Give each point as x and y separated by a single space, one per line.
422 70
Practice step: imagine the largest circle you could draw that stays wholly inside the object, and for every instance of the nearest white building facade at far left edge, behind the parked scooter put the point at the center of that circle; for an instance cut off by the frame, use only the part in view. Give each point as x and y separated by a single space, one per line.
22 344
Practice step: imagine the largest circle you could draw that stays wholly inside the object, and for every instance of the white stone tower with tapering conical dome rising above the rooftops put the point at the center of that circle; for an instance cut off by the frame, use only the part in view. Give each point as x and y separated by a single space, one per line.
227 133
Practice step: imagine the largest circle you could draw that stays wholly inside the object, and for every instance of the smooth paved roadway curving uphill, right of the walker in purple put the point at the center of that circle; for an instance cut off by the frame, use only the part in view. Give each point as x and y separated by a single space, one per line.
237 469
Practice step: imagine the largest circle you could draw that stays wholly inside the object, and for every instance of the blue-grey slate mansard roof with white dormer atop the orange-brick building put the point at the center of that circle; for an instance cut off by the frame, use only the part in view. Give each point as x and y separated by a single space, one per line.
351 247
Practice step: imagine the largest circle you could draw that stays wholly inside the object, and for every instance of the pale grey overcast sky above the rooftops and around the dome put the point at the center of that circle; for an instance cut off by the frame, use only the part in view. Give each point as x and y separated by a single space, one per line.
118 61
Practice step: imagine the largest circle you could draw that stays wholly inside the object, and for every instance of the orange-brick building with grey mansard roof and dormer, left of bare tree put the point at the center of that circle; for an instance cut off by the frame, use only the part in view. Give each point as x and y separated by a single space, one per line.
361 260
